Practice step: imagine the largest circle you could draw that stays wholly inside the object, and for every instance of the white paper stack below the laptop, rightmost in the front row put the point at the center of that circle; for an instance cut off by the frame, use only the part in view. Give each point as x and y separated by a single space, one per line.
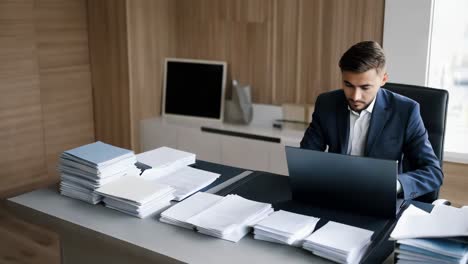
338 242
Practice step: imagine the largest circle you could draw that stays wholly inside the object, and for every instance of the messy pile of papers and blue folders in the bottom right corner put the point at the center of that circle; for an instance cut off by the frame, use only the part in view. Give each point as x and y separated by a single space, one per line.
437 237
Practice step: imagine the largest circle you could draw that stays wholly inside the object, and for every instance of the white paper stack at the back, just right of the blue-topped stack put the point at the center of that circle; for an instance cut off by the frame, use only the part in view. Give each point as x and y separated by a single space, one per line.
165 160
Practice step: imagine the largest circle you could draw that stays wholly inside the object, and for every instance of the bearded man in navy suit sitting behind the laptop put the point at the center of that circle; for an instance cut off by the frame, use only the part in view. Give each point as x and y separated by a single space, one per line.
364 119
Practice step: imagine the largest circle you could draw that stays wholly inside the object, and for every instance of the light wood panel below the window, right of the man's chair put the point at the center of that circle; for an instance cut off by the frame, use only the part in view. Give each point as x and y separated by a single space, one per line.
455 187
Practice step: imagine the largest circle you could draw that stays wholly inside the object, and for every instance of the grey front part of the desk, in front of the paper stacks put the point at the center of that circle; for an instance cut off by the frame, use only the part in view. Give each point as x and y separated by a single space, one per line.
96 234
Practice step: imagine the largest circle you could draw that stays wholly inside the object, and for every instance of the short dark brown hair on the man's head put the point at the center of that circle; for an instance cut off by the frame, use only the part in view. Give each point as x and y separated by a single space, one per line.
363 56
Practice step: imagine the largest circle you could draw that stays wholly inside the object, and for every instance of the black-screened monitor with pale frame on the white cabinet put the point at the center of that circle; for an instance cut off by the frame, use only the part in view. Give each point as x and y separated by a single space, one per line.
194 88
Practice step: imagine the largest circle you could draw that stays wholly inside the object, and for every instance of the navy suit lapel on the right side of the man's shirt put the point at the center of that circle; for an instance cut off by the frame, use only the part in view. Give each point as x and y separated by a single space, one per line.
380 115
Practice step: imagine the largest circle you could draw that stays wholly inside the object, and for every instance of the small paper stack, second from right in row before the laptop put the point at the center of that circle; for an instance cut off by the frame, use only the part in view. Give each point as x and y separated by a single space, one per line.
285 228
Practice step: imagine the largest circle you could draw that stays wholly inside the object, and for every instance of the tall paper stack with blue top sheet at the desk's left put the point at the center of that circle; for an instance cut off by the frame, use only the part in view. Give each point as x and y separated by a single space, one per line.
86 168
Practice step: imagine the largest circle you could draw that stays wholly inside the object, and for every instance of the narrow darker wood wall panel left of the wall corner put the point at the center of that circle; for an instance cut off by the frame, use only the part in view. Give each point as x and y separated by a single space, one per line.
110 72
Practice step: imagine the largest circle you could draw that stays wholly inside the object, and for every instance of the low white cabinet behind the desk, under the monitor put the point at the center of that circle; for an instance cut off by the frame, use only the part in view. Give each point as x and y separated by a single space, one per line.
232 150
